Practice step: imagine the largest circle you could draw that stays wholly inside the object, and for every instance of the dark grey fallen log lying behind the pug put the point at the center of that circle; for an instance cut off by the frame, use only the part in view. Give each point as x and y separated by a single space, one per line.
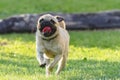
82 21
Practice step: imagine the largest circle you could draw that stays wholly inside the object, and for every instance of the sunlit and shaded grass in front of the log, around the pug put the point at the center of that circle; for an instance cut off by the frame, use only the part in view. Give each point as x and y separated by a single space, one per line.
93 55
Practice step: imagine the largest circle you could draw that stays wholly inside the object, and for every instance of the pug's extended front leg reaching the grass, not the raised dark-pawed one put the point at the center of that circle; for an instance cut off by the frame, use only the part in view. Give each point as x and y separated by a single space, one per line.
50 67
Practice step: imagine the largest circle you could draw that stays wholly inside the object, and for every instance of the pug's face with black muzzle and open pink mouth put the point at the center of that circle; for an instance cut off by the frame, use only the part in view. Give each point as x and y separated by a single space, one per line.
47 25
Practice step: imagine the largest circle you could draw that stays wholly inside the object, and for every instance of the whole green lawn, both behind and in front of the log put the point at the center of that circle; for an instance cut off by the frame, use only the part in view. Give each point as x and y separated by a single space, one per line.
93 55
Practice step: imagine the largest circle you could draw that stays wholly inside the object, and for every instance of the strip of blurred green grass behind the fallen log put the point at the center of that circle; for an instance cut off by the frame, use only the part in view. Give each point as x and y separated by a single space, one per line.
13 7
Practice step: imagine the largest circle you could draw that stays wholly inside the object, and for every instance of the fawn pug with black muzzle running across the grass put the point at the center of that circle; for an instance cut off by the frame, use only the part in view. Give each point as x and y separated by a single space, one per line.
52 42
